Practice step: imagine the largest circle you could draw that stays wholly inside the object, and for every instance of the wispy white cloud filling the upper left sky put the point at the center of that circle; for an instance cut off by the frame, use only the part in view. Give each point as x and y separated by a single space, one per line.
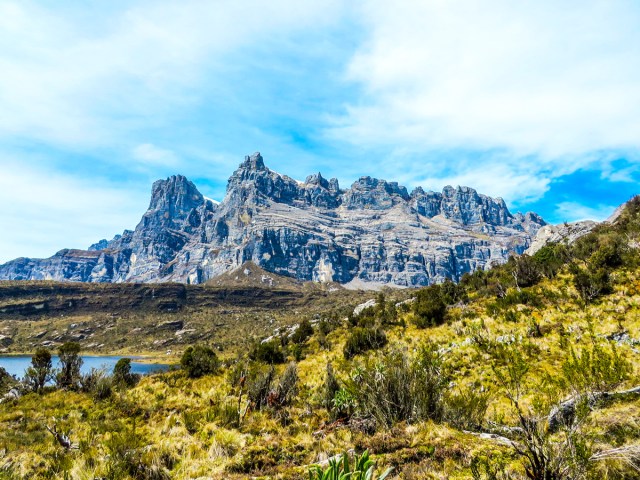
87 77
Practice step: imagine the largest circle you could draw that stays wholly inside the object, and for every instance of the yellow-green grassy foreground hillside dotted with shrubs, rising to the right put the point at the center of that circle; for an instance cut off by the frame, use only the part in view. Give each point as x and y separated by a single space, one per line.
525 371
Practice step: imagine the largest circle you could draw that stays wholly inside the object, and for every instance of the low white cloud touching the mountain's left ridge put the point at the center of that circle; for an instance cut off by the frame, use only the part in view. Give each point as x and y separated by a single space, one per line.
46 211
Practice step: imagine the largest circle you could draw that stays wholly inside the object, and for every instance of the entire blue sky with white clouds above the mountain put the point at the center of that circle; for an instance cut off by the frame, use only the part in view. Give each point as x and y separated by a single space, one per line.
537 102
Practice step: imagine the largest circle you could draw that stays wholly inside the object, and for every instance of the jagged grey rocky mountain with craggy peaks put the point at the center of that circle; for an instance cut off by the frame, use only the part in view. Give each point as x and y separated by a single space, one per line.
373 233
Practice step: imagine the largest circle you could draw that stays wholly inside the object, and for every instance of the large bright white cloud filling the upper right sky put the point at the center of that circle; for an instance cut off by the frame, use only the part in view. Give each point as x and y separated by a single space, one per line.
557 82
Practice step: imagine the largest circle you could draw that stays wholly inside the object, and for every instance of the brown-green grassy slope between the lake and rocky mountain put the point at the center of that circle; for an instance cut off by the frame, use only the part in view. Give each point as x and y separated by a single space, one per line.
154 319
